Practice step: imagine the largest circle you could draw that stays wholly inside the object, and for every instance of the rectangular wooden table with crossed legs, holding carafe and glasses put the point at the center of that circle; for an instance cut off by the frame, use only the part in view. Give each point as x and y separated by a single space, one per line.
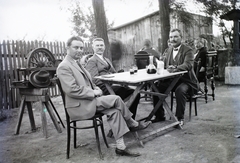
140 79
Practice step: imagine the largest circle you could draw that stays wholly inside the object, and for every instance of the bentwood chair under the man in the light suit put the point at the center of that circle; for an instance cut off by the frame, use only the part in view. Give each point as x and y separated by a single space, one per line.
72 124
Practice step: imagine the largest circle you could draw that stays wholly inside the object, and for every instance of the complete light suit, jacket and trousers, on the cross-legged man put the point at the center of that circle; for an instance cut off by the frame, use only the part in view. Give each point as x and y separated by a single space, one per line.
82 104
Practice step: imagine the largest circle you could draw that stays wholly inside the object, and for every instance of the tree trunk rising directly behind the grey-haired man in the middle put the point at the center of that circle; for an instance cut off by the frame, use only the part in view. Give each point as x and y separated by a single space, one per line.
101 24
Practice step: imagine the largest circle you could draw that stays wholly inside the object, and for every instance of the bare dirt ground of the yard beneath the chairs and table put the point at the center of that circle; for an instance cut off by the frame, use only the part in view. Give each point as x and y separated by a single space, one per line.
210 137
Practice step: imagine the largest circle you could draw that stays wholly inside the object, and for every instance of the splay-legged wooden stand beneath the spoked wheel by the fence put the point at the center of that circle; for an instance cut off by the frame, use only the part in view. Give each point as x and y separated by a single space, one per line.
41 95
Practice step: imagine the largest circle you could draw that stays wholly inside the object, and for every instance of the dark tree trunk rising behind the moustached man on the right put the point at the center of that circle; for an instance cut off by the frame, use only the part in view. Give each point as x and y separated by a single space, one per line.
164 12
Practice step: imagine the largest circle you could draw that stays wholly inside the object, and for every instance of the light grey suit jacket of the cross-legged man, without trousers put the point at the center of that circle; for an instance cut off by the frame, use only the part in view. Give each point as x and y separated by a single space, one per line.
79 96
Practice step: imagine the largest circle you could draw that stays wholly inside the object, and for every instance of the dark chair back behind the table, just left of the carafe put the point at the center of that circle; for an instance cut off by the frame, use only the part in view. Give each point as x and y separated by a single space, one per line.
141 59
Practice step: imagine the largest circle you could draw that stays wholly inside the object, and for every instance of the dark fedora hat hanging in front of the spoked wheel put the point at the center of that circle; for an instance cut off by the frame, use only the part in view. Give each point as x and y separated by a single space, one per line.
40 79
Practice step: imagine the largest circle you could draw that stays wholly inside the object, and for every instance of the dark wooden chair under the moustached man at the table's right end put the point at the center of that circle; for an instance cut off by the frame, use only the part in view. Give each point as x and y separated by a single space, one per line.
192 97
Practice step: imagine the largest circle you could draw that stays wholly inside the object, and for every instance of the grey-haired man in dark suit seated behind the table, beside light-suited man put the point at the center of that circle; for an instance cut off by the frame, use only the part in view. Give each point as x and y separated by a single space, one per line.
99 65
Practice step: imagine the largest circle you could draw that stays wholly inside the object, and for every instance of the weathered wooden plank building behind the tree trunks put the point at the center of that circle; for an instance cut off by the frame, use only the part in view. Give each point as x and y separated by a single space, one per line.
132 34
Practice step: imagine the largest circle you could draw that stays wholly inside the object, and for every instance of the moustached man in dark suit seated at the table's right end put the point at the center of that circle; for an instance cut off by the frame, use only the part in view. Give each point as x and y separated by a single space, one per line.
179 57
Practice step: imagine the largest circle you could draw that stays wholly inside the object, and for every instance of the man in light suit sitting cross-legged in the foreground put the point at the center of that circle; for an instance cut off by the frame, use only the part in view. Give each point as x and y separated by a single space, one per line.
84 99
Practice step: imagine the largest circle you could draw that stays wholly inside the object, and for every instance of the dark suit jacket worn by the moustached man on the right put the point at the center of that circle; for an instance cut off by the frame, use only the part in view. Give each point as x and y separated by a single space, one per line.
184 62
